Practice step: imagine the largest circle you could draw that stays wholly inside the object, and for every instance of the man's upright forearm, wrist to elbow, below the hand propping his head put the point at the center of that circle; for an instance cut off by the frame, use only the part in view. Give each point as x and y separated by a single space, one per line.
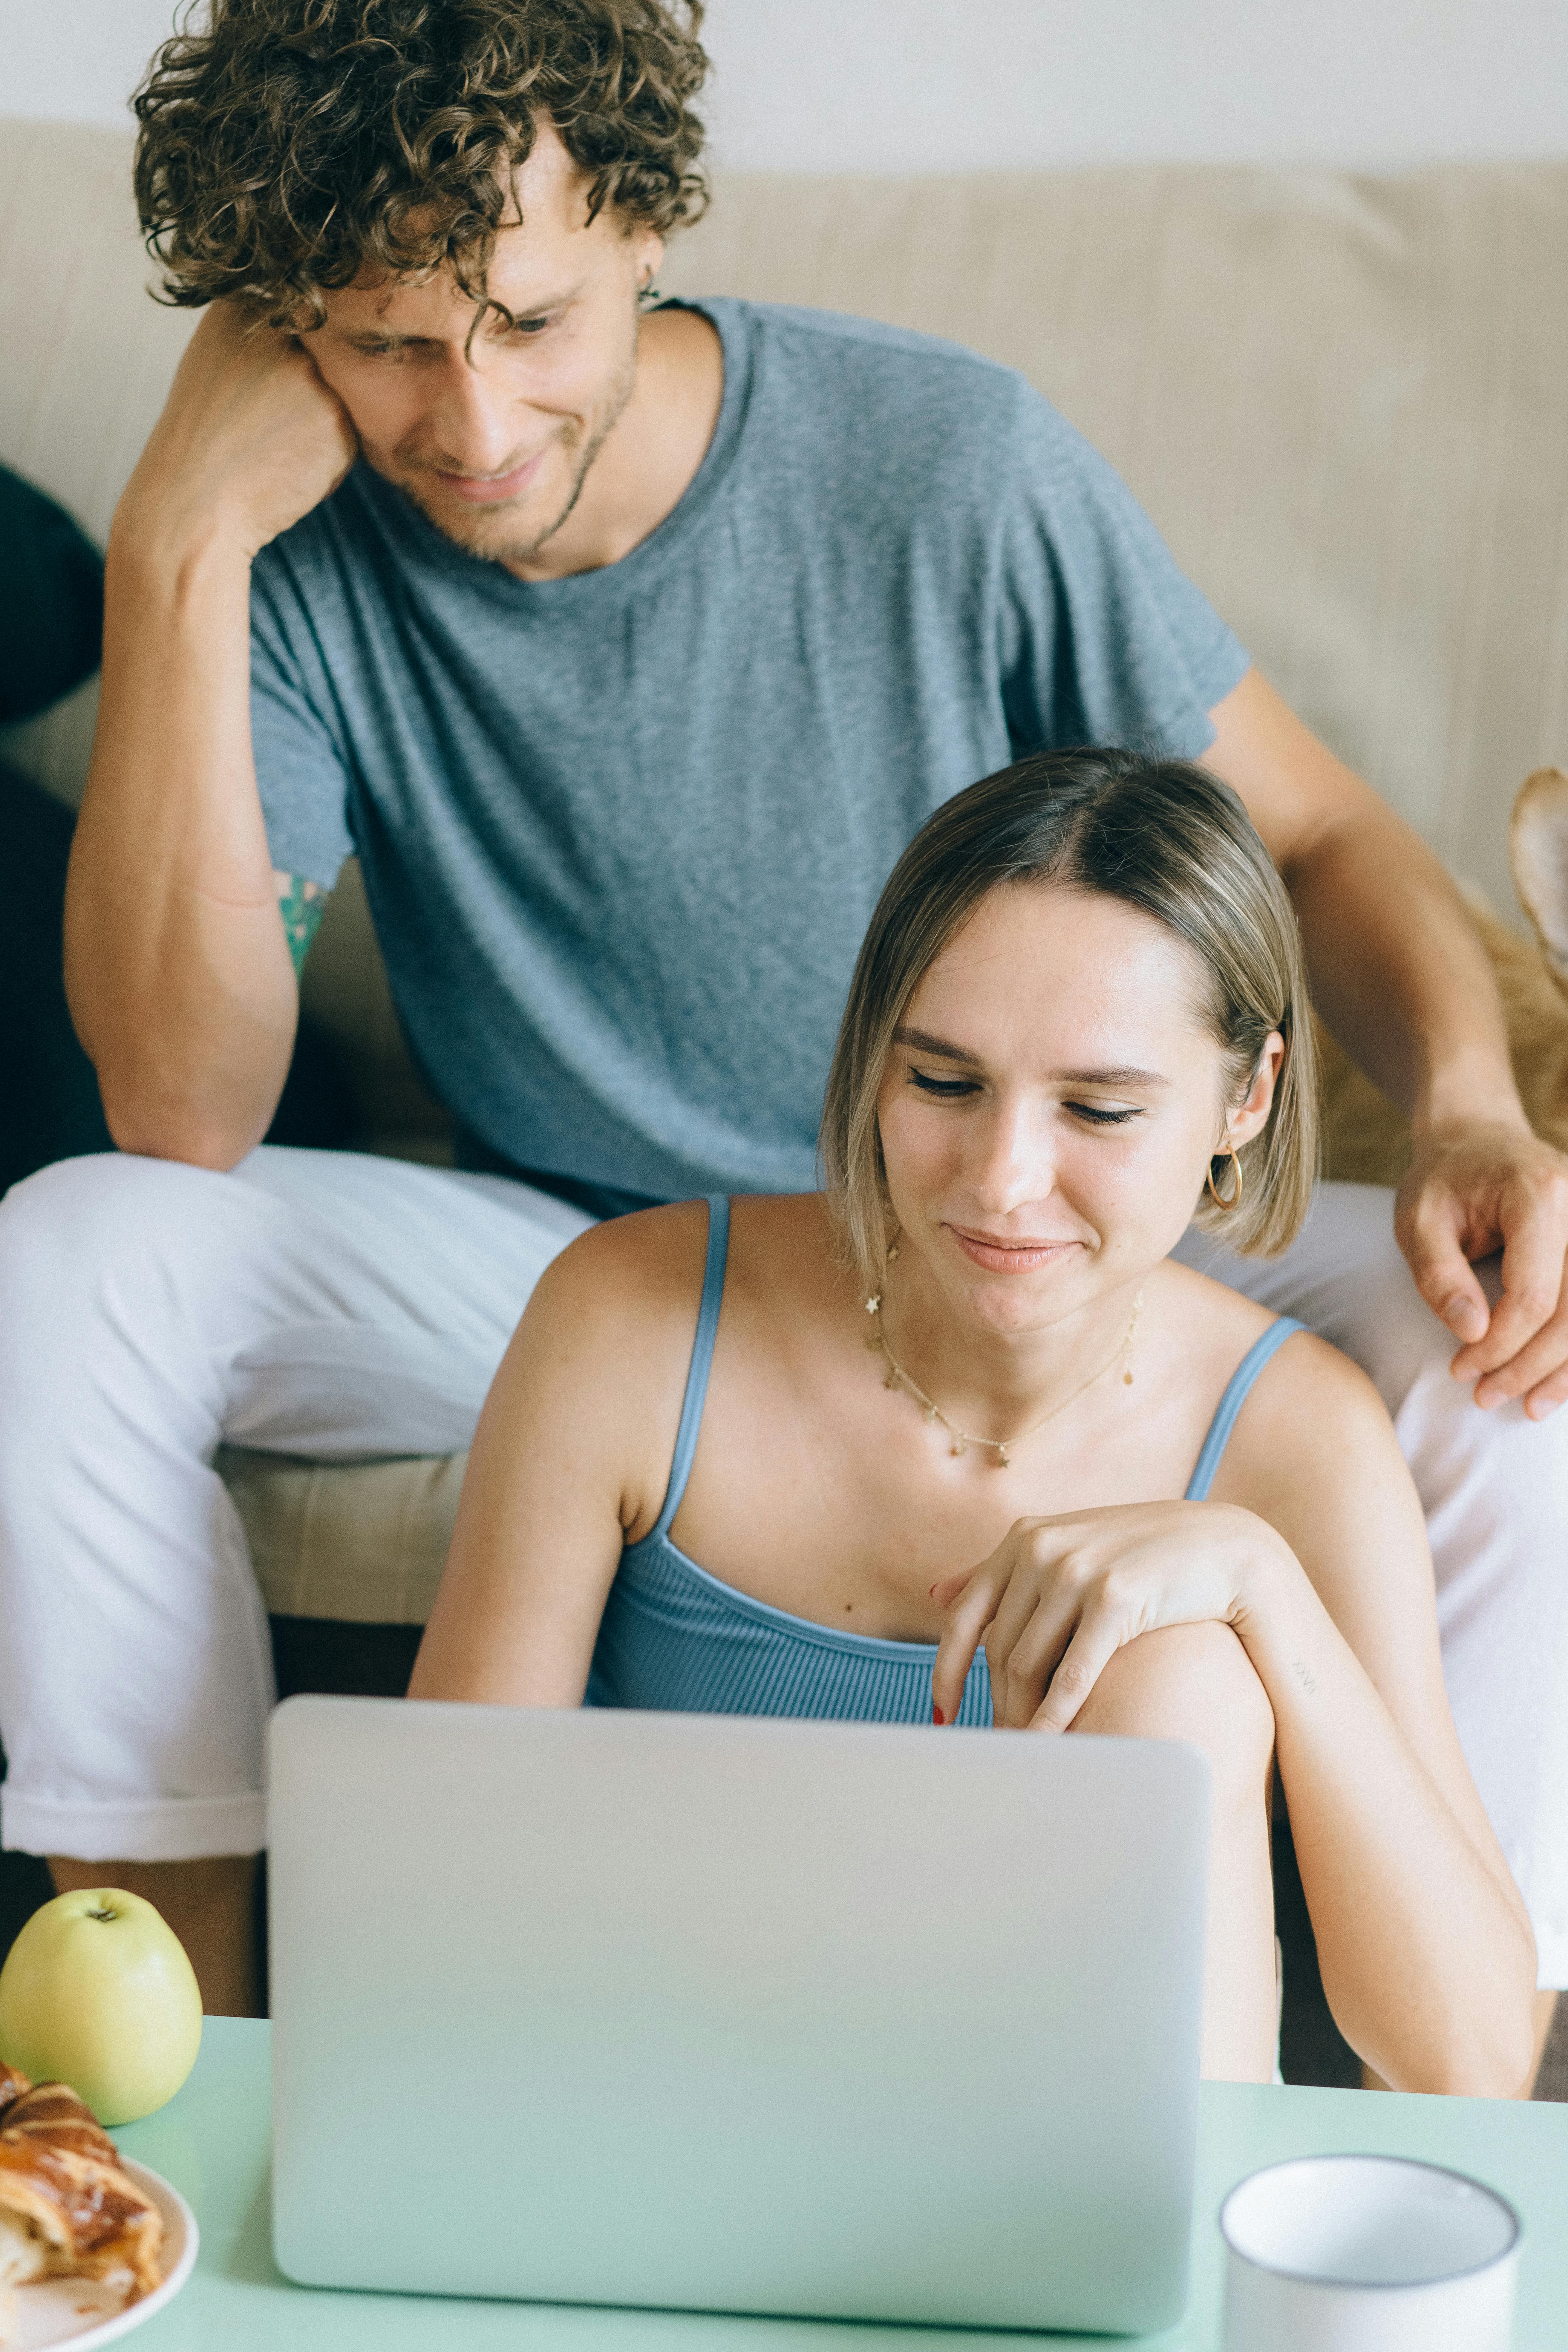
177 961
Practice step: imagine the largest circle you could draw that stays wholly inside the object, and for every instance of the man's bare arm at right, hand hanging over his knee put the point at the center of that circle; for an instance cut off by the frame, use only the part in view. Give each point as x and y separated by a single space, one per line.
1405 982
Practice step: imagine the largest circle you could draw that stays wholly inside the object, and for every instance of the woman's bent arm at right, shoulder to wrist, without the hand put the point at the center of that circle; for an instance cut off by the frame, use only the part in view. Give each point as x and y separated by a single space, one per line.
1423 1937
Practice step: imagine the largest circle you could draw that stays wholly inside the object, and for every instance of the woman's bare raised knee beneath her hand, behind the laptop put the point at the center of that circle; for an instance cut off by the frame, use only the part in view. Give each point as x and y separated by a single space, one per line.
1198 1685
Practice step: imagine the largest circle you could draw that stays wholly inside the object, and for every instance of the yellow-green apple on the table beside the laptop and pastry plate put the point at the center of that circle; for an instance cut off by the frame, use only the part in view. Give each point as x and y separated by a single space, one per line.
98 1993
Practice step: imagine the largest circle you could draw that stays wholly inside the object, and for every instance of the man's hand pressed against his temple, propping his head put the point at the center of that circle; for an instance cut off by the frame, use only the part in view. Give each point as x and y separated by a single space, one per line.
250 441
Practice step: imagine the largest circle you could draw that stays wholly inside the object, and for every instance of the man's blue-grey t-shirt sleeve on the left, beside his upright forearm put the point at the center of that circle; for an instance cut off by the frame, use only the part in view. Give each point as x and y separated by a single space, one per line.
302 768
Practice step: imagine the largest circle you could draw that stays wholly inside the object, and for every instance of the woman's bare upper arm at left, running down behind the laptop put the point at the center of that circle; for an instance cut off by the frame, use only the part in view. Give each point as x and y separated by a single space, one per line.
570 1462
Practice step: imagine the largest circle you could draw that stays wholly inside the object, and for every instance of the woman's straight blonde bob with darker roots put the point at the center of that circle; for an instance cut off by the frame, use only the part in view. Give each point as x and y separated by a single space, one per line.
1160 836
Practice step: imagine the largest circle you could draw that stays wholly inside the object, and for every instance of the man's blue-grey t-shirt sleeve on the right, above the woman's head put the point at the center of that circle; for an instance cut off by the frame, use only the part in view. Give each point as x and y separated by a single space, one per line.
1104 639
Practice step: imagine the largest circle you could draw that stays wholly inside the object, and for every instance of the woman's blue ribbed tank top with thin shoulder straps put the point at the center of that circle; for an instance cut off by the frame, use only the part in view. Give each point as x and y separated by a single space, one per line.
678 1641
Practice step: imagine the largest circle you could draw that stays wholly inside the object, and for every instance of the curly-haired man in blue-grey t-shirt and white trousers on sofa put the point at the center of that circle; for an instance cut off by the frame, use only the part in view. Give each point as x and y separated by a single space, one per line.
626 648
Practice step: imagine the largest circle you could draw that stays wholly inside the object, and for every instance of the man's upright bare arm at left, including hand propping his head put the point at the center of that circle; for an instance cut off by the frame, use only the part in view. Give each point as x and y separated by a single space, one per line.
177 963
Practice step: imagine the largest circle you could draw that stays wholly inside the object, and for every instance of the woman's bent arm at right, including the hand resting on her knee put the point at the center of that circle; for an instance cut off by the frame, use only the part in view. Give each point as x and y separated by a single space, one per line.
1325 1575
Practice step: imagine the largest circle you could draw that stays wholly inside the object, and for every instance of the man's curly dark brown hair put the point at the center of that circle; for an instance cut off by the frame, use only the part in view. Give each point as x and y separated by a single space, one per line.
290 145
